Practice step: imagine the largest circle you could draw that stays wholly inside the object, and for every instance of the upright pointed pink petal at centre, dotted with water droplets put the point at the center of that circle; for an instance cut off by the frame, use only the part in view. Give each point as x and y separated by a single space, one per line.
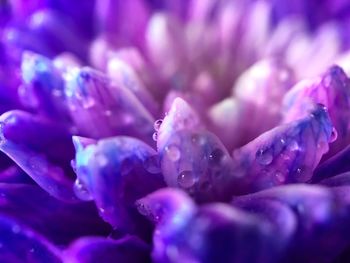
193 159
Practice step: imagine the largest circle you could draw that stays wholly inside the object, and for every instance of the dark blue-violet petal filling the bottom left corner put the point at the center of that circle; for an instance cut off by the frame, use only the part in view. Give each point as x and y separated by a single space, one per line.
19 244
